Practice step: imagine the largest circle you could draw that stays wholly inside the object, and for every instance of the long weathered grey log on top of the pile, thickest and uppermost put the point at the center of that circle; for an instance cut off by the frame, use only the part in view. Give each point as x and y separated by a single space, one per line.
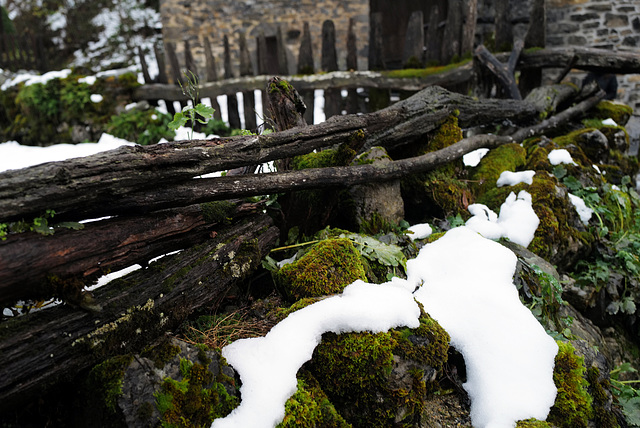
95 186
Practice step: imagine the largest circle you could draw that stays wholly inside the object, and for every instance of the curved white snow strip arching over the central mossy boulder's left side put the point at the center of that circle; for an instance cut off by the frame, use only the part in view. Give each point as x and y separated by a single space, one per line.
268 365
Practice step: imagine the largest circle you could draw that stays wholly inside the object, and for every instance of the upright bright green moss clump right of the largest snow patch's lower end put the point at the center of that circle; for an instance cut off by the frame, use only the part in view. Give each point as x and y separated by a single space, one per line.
573 405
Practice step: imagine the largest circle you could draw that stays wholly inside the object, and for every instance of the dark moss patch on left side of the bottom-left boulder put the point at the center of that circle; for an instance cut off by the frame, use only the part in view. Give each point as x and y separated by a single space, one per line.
105 380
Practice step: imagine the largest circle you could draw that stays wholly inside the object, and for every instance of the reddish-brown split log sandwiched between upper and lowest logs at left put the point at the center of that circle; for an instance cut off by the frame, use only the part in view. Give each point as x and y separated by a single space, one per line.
77 257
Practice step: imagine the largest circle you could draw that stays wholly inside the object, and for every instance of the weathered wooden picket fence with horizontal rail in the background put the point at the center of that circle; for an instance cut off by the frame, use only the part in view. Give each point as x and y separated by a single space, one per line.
350 92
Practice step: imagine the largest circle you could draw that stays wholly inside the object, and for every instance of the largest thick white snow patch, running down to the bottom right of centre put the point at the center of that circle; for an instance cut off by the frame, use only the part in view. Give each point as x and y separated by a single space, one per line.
509 357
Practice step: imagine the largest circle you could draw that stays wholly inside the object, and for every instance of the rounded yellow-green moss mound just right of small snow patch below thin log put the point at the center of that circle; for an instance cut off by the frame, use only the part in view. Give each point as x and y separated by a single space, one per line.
508 157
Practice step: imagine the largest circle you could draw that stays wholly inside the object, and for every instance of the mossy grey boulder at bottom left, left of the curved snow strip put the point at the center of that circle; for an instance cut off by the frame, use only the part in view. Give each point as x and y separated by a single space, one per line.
170 384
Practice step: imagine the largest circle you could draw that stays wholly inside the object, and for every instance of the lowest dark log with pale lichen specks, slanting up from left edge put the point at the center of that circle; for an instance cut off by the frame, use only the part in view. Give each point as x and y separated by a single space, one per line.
56 344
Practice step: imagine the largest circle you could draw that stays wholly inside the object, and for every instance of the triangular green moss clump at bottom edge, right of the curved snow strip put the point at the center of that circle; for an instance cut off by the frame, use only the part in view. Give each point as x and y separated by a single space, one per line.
310 407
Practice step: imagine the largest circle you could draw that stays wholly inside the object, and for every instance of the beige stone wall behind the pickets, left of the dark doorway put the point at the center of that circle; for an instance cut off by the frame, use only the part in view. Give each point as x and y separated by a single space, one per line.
195 20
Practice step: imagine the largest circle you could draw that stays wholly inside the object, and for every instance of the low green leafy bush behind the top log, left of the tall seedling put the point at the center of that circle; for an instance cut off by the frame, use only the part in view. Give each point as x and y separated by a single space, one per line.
141 126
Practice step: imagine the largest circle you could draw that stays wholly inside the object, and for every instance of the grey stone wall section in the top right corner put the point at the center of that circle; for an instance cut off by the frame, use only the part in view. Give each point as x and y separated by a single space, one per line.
605 24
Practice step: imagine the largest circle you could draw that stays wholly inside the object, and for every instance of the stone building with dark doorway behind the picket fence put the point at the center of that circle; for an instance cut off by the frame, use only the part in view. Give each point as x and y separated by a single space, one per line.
608 24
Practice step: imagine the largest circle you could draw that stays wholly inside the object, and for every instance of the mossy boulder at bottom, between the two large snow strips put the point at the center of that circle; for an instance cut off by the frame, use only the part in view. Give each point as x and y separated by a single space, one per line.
381 379
